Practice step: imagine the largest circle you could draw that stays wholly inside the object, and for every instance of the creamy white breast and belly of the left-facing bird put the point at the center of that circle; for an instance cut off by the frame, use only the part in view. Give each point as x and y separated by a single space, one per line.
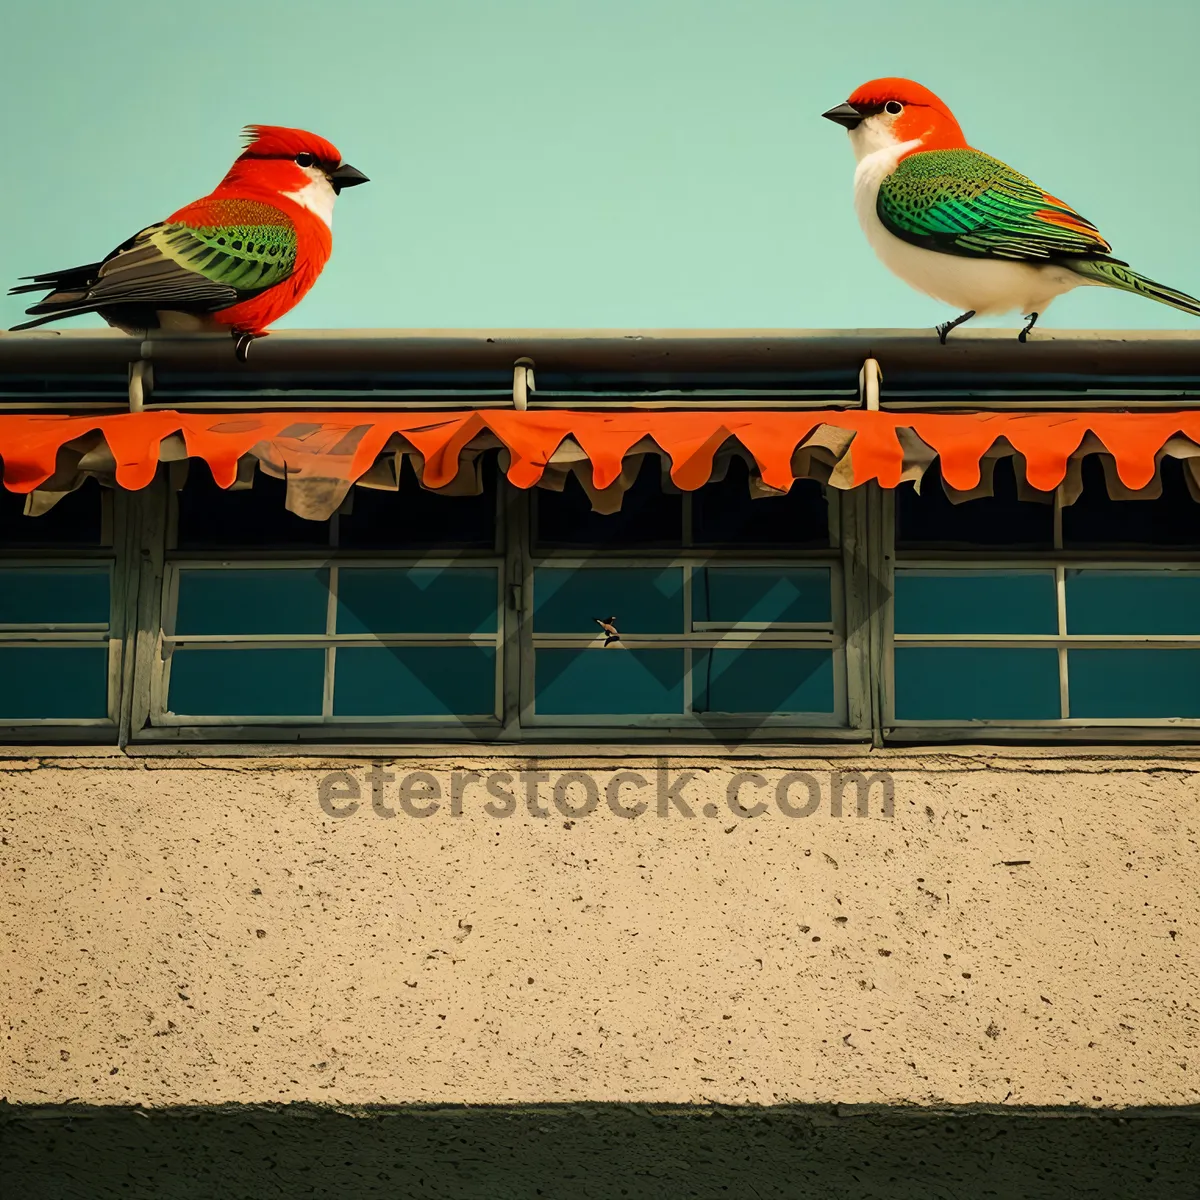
987 286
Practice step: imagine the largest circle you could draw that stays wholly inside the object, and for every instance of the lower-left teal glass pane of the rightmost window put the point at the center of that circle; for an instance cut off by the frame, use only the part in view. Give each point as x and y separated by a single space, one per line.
965 685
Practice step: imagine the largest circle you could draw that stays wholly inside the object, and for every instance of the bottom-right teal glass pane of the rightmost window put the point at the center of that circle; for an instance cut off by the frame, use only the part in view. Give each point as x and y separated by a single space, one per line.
1135 683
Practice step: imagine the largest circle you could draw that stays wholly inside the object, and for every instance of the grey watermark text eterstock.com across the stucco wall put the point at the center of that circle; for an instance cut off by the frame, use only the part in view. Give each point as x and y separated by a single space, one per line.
628 795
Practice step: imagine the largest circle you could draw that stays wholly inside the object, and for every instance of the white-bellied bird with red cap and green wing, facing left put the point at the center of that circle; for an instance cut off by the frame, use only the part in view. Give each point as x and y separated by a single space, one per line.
963 227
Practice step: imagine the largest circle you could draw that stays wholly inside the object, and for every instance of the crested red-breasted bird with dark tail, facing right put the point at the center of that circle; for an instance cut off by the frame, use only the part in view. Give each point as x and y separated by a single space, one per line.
238 260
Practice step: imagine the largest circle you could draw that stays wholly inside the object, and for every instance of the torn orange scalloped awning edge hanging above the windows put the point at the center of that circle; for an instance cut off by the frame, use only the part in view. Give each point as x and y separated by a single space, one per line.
323 455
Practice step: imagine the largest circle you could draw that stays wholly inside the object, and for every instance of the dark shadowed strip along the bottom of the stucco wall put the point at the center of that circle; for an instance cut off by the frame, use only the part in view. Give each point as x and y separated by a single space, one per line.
598 1151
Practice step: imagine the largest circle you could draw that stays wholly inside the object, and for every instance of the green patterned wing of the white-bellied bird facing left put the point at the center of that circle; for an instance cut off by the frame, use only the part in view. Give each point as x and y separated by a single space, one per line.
963 202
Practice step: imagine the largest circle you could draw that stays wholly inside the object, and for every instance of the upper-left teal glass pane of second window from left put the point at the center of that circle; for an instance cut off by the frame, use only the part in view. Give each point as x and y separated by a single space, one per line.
285 602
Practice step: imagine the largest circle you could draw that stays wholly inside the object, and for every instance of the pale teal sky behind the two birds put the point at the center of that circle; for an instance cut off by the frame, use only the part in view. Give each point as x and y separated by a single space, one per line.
638 164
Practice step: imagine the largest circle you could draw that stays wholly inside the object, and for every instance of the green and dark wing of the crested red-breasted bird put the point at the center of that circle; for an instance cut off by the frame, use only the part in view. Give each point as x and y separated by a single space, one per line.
211 255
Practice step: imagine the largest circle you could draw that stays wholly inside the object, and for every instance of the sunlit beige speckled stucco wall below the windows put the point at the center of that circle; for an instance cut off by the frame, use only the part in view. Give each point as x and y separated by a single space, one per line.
200 932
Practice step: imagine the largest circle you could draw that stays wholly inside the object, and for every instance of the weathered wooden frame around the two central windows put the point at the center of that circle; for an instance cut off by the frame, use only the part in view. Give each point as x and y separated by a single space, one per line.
515 560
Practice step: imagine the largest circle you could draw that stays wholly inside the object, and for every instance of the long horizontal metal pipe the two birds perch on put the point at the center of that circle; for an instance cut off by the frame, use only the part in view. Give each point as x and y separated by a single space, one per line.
1085 353
